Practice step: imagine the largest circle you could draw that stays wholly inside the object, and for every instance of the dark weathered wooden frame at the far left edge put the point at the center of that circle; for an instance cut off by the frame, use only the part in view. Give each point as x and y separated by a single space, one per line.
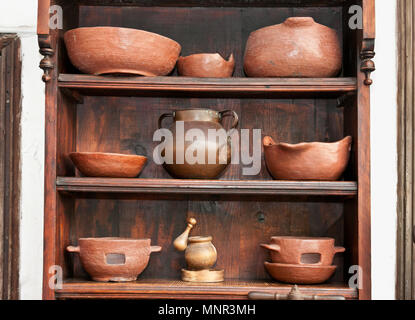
10 110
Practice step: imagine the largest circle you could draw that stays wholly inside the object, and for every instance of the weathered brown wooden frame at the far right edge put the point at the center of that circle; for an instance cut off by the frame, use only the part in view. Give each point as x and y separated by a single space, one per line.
406 149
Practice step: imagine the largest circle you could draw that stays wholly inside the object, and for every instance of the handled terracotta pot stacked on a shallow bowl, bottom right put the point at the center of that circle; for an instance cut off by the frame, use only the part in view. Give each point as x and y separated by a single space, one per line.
302 251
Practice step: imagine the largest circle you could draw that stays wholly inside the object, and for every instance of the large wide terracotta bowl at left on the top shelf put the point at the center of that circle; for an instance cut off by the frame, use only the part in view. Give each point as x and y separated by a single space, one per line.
110 50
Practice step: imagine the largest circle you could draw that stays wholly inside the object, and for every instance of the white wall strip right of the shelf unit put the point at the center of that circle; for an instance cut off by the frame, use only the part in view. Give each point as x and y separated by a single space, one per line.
384 153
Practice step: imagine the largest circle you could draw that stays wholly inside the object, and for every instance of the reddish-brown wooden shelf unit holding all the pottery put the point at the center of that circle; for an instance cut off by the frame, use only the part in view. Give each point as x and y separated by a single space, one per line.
119 114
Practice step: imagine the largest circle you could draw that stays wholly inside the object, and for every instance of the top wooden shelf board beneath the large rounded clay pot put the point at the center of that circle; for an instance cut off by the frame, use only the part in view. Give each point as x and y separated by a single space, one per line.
228 87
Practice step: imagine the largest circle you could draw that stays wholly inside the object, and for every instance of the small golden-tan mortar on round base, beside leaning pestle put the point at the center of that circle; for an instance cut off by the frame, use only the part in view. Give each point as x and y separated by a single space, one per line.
200 253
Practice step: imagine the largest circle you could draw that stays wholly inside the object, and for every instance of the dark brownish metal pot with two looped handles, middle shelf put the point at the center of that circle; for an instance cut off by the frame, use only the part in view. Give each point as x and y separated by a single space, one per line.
203 120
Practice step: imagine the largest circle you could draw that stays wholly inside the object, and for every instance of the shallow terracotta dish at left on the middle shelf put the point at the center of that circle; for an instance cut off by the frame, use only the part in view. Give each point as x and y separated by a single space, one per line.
109 165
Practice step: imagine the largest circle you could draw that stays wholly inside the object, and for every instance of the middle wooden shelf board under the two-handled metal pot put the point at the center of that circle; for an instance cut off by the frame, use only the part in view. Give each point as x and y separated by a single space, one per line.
237 187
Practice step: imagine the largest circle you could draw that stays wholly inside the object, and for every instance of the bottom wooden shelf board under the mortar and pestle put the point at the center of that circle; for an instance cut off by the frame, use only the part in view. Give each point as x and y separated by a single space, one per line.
175 289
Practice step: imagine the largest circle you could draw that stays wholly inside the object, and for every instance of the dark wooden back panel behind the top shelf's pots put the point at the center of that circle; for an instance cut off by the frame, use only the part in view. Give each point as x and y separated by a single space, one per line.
222 30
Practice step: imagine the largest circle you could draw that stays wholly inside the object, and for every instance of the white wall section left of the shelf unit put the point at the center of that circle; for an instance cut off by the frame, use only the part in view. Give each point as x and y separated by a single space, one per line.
21 17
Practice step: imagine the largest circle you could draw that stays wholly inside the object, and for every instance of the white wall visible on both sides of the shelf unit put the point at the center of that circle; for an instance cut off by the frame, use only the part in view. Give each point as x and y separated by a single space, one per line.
19 16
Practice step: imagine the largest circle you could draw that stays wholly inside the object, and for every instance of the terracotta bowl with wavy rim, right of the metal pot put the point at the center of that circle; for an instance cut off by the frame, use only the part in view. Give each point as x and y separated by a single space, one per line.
307 161
